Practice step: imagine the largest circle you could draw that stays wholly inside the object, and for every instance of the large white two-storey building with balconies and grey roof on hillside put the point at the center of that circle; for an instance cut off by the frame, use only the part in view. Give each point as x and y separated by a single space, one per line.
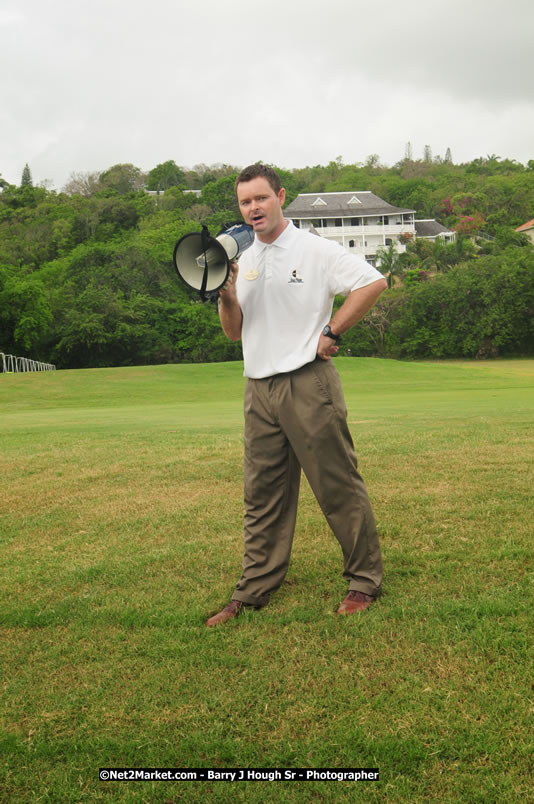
360 221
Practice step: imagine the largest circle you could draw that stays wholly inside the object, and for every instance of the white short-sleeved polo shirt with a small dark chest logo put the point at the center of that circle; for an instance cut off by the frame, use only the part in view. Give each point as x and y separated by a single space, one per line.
286 291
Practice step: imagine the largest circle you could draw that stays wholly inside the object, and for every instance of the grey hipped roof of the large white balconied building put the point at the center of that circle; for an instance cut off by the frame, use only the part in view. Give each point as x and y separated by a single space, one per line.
337 205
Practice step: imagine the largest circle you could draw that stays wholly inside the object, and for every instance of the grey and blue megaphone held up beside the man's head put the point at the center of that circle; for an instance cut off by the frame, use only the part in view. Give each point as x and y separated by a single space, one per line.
203 261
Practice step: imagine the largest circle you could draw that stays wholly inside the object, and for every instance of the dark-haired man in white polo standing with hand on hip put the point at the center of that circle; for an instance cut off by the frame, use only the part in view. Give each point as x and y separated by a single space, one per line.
279 303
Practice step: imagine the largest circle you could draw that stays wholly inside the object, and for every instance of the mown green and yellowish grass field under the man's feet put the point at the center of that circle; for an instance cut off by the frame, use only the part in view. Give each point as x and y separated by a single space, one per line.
120 532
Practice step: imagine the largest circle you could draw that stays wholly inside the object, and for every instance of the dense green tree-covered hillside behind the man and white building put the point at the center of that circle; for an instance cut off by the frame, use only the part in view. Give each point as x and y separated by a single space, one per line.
86 274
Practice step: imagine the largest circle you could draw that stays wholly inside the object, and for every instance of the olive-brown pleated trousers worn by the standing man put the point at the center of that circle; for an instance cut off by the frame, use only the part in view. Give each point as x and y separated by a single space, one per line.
299 420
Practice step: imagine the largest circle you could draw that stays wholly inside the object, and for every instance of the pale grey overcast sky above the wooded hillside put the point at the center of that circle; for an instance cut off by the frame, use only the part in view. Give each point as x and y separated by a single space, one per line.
86 85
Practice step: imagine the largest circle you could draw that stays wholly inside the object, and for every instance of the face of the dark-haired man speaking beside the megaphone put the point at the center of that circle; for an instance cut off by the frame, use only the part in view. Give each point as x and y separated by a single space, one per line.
261 208
